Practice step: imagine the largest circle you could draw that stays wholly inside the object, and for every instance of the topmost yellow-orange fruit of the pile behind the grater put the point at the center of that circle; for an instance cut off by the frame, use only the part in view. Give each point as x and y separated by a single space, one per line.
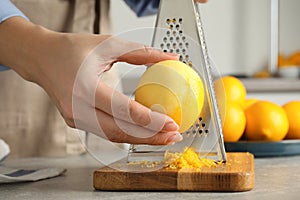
233 89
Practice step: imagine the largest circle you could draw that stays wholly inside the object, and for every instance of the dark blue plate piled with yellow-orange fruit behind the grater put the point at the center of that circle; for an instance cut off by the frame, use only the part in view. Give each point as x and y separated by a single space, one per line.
258 126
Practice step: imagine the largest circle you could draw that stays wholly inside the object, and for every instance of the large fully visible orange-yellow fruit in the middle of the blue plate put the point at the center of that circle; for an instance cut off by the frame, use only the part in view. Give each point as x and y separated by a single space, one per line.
266 121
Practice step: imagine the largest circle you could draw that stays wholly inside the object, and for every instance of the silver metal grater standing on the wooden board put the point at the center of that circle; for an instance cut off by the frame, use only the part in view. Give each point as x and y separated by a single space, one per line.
179 30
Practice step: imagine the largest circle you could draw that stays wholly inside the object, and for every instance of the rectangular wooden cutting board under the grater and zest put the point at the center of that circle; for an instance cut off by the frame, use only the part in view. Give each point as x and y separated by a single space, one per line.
237 174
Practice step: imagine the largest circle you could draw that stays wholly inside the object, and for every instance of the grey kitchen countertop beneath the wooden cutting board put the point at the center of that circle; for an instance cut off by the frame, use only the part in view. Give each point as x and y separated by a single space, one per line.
276 178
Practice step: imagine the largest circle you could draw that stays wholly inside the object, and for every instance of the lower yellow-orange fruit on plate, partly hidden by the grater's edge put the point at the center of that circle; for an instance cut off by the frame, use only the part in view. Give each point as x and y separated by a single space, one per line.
234 122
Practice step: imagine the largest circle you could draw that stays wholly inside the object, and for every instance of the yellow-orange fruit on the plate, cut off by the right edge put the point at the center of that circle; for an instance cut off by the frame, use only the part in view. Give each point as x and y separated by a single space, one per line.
292 110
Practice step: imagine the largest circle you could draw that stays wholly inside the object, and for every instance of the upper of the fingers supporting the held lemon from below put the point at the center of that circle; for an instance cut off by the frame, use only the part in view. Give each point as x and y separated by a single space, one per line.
121 107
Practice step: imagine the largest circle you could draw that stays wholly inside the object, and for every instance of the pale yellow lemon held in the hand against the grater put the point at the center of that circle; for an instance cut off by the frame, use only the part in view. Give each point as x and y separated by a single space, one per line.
173 88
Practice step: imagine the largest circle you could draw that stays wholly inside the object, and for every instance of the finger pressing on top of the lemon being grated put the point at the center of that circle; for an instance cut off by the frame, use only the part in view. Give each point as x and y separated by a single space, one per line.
146 55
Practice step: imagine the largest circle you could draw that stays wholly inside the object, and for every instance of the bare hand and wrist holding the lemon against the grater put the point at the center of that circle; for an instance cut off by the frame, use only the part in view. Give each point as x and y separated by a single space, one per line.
68 67
